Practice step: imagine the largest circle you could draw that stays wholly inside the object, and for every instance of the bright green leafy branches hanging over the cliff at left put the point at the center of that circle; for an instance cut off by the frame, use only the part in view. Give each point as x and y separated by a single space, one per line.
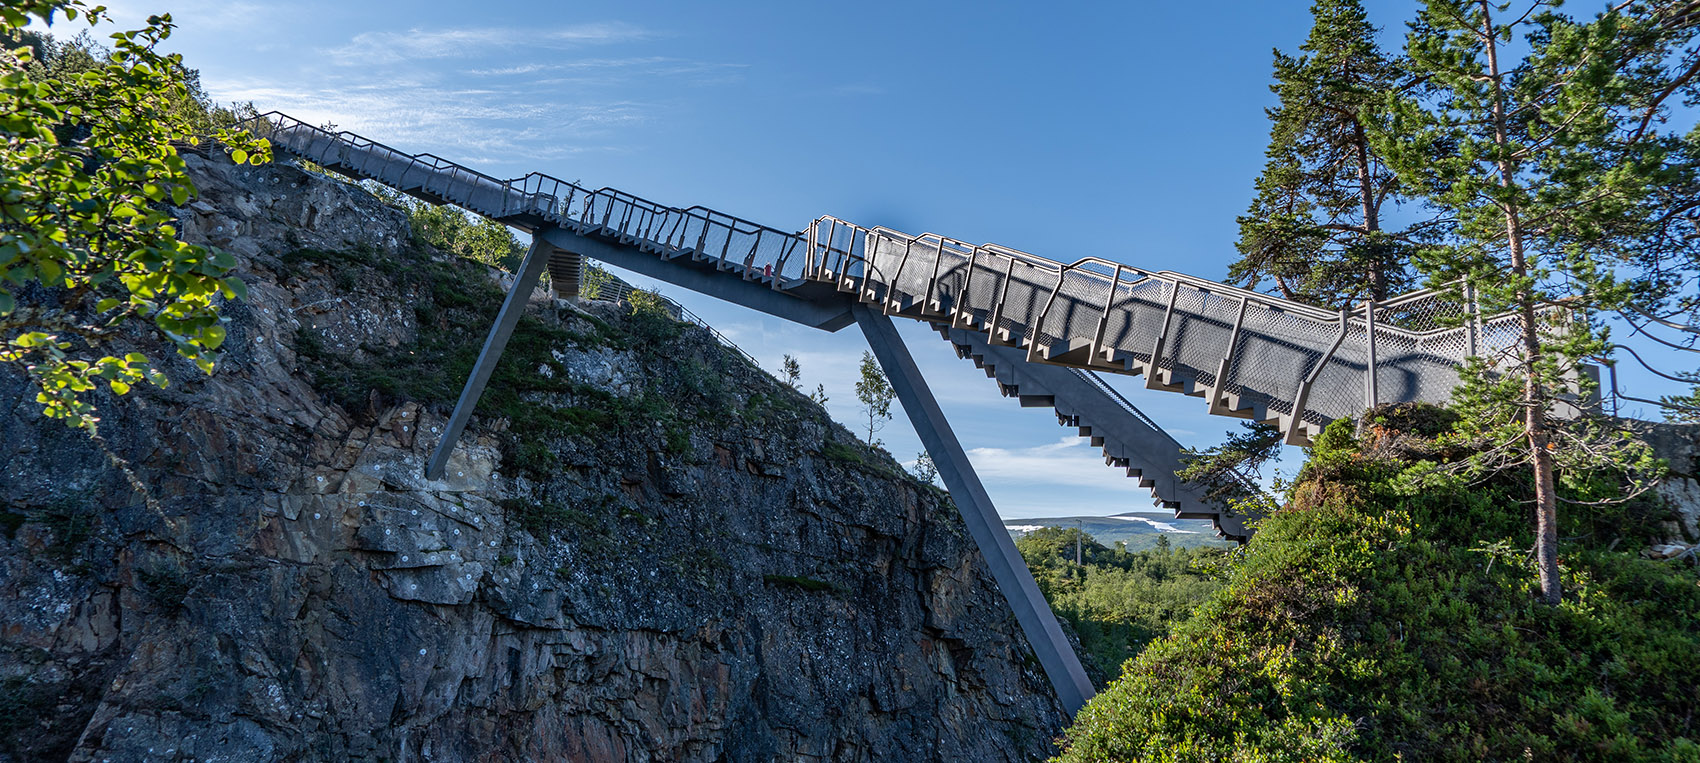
88 171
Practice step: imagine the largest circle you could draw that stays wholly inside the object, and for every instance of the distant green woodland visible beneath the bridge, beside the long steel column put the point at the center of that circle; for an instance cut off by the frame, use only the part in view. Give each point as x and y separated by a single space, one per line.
1118 601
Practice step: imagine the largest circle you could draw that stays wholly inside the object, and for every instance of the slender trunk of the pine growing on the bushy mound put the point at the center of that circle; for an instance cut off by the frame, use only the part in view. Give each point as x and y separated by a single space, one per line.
1534 402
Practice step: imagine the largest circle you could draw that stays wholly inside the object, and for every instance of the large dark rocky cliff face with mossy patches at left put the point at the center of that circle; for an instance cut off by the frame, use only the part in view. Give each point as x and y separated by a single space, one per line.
645 548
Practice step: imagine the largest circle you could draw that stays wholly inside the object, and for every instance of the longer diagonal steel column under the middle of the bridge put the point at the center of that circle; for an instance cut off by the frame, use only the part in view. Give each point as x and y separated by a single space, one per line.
1031 611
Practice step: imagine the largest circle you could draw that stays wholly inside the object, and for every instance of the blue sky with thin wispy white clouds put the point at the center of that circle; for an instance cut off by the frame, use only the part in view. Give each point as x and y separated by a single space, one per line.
1130 132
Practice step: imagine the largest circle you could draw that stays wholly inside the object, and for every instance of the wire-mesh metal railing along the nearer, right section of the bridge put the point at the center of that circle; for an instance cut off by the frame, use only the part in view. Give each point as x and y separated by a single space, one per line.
1303 363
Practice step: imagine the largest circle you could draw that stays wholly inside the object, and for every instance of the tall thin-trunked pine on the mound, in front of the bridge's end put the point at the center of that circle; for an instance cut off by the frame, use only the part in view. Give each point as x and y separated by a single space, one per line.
1556 183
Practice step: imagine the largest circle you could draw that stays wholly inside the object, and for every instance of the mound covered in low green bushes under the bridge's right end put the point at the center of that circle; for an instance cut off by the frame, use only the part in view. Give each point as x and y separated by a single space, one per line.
1373 621
